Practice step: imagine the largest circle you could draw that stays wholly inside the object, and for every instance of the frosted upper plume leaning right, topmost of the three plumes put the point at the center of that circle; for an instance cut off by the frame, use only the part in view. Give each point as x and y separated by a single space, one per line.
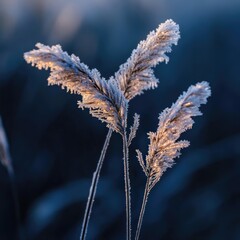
136 75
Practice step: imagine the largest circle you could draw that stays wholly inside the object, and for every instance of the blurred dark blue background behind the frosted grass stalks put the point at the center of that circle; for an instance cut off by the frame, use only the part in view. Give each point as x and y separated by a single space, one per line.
55 146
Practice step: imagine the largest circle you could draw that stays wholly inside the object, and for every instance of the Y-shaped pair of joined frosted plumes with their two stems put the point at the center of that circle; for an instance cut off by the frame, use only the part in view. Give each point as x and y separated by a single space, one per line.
105 99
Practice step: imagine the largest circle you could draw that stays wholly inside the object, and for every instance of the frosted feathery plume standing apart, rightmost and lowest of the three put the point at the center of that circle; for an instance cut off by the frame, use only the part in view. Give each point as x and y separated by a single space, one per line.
164 147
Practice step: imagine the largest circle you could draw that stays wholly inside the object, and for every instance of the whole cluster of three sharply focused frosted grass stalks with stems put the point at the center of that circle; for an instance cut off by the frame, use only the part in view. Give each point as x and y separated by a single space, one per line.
108 100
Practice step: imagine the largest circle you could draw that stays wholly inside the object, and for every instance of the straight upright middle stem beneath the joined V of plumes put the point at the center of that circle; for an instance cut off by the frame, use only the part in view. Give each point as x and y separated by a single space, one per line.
127 185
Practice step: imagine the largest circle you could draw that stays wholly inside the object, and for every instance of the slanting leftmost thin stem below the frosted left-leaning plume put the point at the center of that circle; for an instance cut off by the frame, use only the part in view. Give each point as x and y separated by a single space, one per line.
93 188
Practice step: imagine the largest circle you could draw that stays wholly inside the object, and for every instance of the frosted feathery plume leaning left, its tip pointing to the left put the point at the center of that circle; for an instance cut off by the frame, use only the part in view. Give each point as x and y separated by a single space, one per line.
103 98
